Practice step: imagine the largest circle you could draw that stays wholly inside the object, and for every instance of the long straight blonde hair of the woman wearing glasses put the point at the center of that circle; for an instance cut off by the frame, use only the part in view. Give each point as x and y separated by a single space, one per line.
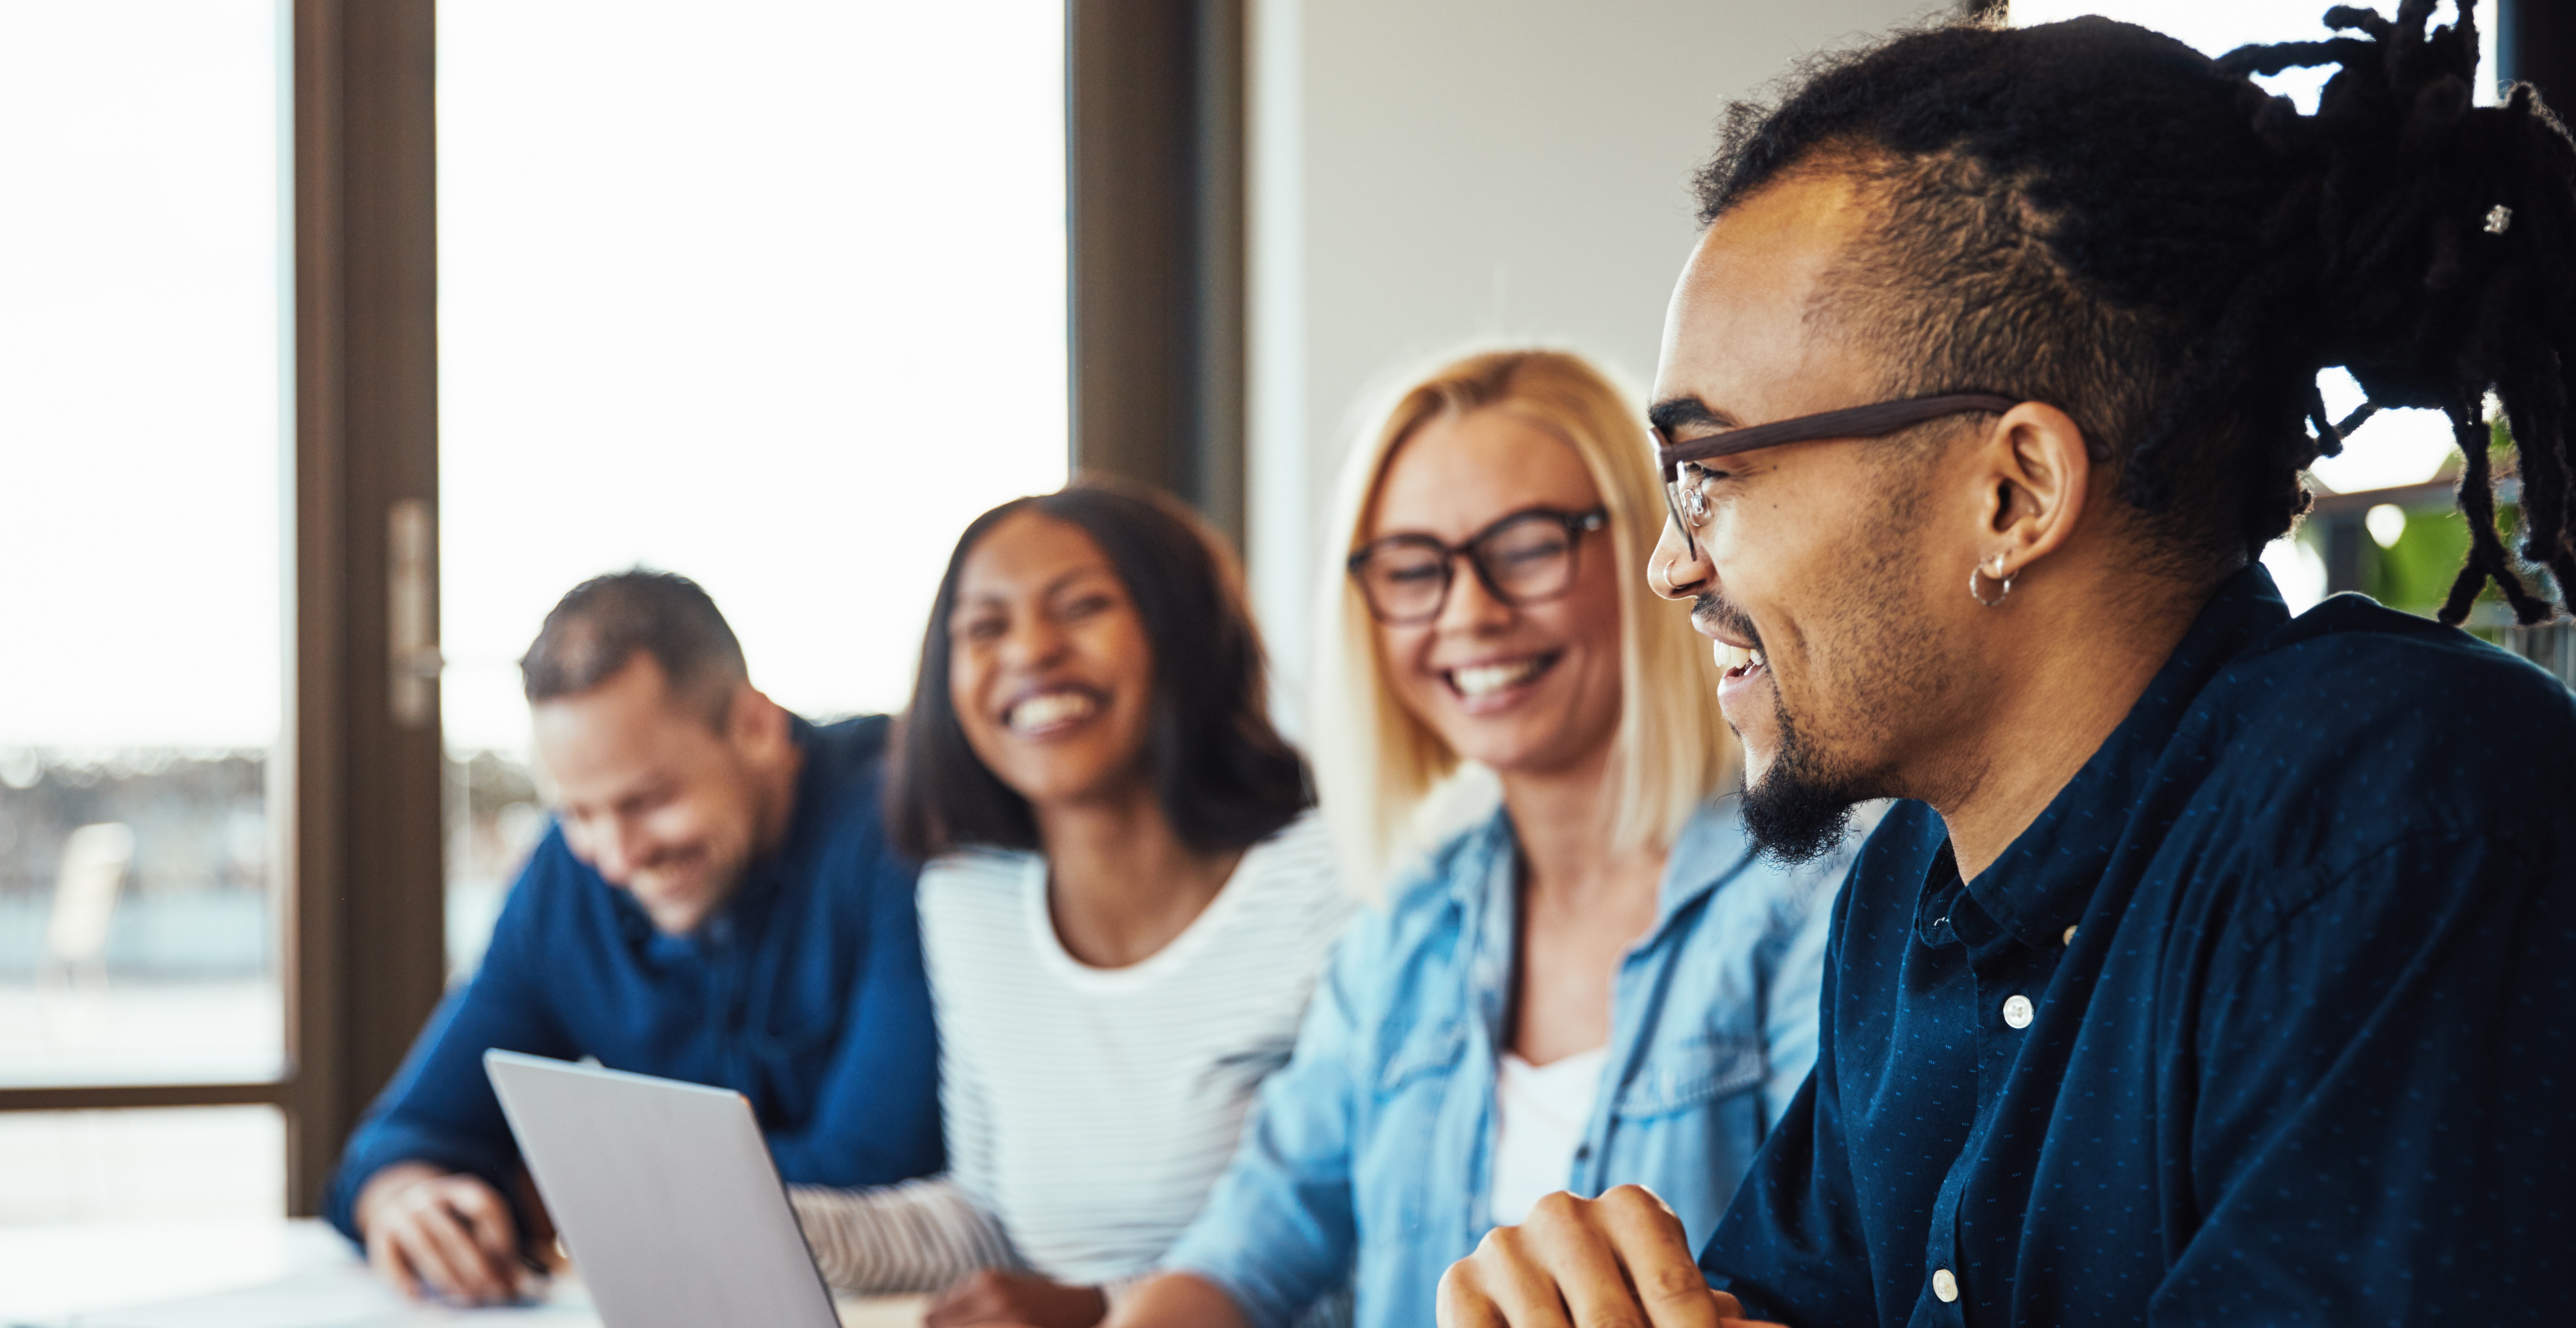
1377 762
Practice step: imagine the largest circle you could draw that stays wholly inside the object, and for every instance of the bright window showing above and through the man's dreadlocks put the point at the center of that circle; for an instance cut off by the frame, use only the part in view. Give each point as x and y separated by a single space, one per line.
2400 447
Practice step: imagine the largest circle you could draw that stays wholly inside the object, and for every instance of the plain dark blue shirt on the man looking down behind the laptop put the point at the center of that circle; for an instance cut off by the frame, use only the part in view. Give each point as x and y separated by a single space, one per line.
805 994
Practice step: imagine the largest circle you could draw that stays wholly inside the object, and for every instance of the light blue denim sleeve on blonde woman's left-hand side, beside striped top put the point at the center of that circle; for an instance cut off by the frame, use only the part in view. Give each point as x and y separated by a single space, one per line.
1279 1229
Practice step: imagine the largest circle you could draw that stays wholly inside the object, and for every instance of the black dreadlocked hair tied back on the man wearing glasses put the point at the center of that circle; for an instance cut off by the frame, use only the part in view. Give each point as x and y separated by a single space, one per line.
2106 220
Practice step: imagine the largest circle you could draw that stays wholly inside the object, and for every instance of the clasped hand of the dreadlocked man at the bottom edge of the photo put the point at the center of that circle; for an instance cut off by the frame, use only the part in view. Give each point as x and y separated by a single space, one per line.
1588 1262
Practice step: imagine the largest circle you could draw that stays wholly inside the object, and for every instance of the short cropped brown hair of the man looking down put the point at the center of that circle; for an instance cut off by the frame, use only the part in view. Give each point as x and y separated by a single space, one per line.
604 623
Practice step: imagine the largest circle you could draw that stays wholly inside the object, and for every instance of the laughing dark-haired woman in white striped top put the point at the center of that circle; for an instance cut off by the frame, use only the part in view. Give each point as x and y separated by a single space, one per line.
1124 906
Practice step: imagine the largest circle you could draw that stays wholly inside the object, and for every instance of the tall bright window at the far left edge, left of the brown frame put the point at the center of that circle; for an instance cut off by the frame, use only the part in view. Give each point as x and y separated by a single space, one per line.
143 316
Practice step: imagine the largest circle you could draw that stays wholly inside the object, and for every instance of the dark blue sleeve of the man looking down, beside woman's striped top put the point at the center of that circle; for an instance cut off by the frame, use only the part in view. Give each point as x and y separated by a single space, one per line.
877 1118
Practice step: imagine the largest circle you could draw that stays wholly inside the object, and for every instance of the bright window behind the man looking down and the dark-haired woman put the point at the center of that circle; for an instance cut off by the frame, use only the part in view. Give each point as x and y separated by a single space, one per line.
769 295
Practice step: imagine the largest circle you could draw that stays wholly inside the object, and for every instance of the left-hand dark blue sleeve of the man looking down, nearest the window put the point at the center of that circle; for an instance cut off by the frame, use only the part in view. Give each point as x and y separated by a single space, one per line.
439 1108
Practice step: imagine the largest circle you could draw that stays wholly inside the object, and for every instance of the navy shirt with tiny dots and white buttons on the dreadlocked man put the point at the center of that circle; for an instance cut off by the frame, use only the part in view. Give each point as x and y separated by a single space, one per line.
2268 1020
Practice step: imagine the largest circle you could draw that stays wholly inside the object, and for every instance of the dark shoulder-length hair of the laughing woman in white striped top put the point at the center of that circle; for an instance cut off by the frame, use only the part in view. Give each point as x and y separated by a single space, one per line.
1222 772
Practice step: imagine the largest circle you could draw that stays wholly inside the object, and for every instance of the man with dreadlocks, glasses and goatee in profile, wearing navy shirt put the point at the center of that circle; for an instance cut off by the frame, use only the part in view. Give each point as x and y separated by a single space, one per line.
2222 966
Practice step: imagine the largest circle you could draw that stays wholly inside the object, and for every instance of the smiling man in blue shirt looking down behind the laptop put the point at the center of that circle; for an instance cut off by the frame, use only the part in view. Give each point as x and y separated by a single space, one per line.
715 901
